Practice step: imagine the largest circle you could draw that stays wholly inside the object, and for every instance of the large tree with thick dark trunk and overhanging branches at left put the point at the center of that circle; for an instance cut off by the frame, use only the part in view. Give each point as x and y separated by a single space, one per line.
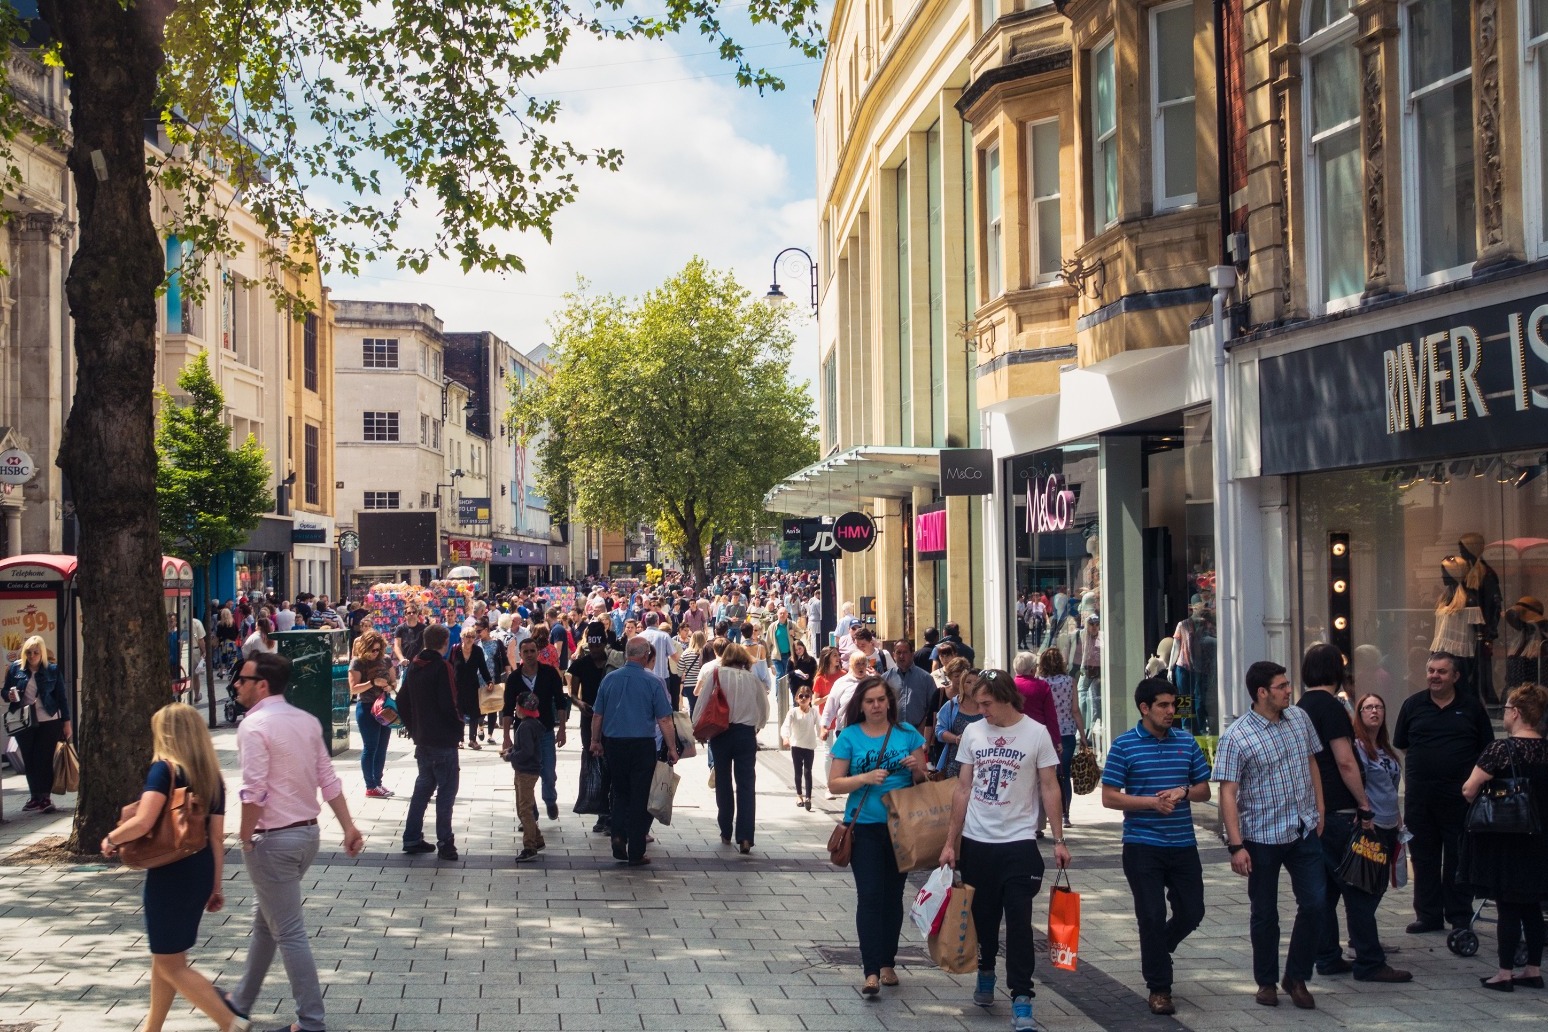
392 108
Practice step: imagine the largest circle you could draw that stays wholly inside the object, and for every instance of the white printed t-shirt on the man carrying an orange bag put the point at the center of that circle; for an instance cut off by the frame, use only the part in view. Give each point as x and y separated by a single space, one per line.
1007 801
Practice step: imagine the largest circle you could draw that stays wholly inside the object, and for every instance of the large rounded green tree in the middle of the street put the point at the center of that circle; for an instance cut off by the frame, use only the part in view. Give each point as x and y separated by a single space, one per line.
674 409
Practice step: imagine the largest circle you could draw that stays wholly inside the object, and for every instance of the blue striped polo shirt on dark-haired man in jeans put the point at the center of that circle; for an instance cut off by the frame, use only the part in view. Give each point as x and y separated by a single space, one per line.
1140 764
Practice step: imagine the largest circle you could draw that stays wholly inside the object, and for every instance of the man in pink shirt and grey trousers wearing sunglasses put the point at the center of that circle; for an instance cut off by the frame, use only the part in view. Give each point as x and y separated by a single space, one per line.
284 768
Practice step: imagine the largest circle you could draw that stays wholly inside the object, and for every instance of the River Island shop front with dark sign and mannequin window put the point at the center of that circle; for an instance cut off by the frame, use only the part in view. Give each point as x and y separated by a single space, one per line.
1420 490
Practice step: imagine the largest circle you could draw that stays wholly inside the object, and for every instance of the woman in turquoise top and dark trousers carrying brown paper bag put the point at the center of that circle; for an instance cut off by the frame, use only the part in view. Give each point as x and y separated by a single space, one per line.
871 757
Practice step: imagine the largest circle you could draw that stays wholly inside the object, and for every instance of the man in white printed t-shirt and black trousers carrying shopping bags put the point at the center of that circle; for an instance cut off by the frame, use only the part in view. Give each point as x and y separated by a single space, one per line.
1009 782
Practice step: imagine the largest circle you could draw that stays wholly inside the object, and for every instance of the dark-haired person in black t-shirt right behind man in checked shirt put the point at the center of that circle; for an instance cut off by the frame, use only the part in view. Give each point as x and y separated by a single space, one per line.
1348 810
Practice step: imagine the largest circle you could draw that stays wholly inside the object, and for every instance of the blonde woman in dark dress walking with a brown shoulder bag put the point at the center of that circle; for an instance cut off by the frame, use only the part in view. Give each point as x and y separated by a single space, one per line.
179 894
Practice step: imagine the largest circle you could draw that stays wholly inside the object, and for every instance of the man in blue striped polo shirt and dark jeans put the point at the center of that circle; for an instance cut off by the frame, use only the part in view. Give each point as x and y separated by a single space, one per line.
1152 774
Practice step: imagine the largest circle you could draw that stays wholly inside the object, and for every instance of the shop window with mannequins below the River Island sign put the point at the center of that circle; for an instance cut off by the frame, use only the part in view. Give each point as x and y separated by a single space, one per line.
1445 558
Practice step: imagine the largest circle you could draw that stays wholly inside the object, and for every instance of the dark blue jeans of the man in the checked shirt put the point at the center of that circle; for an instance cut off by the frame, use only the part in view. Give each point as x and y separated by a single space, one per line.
1303 859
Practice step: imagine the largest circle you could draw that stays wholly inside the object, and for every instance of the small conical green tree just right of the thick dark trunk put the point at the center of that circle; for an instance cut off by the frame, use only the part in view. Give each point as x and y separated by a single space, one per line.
210 494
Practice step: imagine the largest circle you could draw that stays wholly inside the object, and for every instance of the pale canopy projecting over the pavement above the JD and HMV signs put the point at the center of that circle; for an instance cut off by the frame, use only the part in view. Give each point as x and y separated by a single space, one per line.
852 479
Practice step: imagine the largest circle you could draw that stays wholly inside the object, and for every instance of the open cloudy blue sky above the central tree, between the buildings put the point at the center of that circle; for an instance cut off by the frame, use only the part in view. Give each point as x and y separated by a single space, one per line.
710 169
